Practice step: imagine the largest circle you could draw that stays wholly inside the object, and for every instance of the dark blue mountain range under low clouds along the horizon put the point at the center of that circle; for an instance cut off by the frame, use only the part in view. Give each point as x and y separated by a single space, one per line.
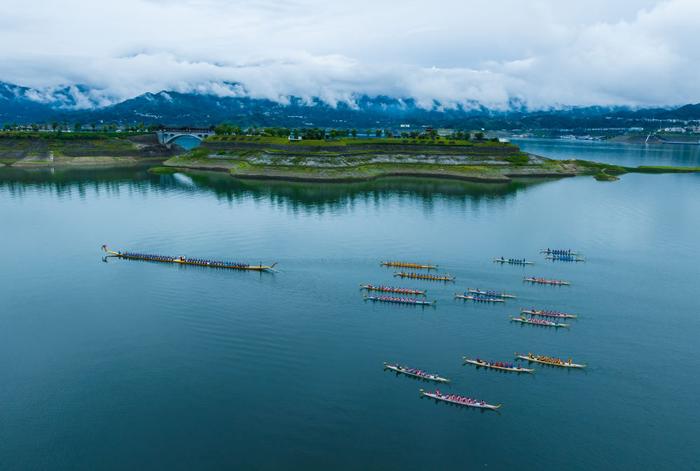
79 103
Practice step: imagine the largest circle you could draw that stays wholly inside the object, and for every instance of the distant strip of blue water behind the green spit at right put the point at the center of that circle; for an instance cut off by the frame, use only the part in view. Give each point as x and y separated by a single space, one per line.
615 153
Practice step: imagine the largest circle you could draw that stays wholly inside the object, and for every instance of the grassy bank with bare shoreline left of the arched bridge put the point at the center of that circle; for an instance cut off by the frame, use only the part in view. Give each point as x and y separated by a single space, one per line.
36 149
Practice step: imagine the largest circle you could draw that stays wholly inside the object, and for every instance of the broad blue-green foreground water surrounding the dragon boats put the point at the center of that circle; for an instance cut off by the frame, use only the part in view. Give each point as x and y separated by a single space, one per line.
135 365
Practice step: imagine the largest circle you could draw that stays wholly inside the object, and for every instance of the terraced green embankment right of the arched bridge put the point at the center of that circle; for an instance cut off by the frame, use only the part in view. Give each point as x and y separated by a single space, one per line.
361 159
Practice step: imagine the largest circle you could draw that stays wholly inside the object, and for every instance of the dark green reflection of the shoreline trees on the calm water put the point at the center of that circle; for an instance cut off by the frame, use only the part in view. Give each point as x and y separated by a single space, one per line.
294 195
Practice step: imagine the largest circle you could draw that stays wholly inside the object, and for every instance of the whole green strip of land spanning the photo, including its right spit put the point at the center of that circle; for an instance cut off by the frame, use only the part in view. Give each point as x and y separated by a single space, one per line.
343 159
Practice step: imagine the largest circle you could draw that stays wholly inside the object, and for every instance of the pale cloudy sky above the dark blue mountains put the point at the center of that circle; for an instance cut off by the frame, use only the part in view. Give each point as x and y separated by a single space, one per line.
546 53
